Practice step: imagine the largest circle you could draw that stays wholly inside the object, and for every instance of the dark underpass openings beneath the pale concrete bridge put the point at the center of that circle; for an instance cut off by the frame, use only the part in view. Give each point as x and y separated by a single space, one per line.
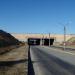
39 41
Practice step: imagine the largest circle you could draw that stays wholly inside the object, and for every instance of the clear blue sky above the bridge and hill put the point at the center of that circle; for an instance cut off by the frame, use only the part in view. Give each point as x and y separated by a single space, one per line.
37 16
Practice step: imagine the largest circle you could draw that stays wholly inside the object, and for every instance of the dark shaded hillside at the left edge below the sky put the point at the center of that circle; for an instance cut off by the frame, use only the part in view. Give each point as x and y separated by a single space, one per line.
7 39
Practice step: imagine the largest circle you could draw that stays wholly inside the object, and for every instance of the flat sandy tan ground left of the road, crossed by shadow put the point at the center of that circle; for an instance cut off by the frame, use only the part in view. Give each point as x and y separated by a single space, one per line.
14 62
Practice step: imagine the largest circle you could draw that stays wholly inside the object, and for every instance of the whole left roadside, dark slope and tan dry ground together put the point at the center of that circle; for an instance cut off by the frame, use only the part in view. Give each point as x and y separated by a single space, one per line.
13 55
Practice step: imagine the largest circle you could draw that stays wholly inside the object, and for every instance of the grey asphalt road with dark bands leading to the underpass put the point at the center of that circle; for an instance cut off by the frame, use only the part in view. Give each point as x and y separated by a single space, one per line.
51 61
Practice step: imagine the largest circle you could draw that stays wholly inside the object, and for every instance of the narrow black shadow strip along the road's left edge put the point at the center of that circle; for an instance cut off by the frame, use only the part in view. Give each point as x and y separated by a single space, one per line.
30 65
